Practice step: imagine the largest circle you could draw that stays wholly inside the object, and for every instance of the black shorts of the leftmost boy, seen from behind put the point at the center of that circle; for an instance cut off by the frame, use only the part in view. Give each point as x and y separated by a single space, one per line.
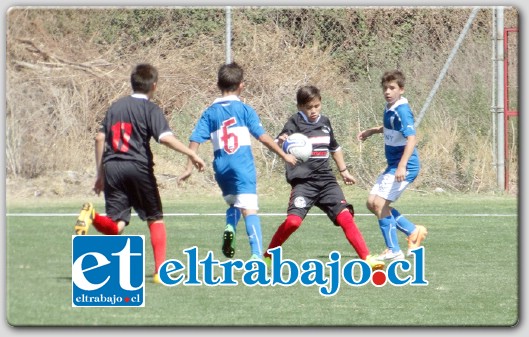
131 185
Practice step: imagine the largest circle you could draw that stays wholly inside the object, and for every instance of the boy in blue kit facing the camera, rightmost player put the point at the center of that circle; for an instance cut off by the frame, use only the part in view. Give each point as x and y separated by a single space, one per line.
402 168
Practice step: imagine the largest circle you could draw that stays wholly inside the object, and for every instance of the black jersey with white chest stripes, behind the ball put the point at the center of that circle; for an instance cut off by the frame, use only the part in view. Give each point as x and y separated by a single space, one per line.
323 142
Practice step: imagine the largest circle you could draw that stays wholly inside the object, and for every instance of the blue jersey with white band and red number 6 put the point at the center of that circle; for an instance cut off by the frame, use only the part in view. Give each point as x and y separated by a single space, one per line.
229 124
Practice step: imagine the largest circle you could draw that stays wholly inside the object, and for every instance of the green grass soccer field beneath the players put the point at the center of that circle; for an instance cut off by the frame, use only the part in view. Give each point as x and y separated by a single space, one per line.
472 266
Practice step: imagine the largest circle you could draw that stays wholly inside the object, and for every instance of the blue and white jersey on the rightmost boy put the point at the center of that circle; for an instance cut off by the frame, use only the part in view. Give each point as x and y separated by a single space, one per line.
398 125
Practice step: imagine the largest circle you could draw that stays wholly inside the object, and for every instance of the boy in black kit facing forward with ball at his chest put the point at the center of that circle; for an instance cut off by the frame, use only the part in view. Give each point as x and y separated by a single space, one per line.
313 182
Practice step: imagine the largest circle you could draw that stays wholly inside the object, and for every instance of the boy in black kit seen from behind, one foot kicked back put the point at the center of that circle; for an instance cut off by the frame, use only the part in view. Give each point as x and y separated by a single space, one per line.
124 164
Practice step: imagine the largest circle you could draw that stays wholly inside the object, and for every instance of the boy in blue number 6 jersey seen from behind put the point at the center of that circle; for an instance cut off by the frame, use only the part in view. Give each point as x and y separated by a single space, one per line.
229 124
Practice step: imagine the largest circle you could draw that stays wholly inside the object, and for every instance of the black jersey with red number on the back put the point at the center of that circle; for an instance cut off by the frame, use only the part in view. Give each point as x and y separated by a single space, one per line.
129 124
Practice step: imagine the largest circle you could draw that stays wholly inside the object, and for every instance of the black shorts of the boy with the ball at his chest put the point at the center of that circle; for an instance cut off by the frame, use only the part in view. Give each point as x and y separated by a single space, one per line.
327 195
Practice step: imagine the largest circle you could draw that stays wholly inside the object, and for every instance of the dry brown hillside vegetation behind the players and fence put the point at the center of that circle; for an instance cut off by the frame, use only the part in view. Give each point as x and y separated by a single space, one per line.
66 65
